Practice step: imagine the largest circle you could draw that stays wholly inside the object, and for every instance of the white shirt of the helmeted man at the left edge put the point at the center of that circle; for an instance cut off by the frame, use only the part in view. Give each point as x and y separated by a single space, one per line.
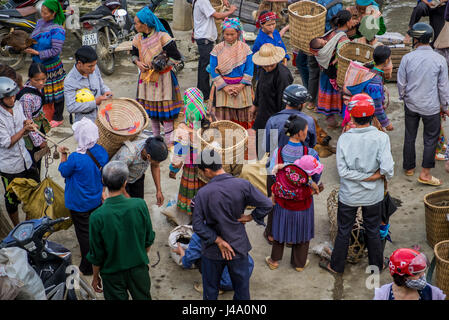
15 159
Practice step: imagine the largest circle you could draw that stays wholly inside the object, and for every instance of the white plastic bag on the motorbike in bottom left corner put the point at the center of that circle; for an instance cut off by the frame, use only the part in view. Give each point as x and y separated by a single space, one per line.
14 265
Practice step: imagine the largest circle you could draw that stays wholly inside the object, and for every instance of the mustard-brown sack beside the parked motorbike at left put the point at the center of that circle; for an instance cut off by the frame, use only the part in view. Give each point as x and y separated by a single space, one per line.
32 196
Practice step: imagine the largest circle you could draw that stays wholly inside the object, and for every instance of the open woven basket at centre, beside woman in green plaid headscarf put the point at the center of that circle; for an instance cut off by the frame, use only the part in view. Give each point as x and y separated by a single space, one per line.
233 137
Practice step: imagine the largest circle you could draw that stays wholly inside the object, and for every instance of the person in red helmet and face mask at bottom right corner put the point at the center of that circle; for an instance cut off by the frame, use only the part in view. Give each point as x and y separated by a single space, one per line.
407 268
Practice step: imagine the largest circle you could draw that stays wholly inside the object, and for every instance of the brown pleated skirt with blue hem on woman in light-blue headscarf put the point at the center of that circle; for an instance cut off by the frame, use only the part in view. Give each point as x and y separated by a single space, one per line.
167 109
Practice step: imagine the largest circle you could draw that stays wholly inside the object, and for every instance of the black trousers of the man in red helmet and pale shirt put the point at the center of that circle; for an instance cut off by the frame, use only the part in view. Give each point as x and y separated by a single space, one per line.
346 216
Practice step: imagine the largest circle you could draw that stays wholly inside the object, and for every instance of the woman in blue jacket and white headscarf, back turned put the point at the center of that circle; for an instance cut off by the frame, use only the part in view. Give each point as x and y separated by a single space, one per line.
83 186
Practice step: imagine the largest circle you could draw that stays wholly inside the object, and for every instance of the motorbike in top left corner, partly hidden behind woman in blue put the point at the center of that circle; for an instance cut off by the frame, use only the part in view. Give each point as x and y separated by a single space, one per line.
21 15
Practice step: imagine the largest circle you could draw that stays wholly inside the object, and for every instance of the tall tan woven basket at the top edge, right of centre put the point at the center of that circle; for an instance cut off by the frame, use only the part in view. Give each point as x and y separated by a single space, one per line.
307 21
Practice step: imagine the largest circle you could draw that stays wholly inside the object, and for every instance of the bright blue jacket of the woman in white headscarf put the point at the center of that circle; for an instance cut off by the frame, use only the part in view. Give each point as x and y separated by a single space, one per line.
83 186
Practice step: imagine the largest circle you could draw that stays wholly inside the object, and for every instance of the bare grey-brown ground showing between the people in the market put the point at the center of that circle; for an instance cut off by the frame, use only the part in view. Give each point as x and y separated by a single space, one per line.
169 281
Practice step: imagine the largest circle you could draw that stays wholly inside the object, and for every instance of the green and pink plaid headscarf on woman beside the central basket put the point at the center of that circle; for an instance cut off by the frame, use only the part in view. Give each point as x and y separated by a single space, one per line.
195 109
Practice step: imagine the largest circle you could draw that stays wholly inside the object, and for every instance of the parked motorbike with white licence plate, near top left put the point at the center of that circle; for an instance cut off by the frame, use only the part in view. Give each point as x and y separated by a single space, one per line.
109 29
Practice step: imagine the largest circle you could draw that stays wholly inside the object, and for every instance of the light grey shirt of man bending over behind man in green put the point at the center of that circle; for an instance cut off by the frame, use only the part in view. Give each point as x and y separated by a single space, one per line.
133 159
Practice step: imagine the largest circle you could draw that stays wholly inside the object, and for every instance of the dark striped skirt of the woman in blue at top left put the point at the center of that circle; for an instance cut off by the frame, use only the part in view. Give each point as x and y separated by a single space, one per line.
54 87
